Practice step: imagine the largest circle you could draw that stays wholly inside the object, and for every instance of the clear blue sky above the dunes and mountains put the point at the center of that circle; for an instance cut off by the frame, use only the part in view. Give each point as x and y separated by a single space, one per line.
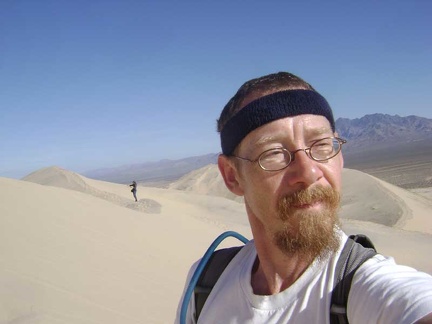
93 84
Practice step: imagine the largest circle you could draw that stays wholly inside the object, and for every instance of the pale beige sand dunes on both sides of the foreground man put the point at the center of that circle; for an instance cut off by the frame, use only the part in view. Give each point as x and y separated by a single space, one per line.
77 250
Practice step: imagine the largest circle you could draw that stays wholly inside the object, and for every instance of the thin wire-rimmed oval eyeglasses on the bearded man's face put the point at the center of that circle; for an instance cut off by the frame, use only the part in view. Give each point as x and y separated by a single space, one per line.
279 158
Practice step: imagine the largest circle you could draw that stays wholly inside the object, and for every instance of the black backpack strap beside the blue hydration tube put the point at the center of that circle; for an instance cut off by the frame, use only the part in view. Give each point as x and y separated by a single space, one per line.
211 273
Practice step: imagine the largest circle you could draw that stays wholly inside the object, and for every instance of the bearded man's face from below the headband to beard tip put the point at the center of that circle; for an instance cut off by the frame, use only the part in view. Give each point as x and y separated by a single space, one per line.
295 207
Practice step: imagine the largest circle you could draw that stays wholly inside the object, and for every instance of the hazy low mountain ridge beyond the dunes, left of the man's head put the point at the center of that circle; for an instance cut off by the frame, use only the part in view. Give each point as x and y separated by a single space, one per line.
159 173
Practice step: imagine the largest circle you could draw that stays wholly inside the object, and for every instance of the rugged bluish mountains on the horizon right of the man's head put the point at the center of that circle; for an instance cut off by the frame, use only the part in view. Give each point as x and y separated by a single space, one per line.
378 129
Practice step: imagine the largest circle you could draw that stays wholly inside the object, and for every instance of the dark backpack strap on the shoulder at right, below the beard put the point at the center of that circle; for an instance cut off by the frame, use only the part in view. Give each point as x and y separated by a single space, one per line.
356 251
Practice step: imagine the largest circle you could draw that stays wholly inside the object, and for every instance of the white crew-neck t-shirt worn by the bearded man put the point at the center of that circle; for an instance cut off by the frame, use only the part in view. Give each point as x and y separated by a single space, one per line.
381 292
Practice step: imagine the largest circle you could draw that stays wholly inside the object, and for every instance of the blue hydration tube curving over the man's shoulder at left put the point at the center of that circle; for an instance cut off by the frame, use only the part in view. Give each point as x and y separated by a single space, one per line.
200 268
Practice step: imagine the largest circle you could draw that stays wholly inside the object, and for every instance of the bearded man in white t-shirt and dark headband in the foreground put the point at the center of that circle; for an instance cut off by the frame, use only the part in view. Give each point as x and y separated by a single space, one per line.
281 153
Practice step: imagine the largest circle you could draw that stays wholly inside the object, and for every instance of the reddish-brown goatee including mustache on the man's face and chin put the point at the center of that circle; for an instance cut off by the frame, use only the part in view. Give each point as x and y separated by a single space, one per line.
307 232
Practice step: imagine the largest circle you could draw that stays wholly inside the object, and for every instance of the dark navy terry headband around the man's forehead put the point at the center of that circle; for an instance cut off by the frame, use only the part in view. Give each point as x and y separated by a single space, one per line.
266 109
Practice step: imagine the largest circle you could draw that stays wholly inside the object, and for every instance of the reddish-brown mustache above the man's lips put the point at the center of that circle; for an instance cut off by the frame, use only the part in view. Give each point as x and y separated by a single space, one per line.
309 196
